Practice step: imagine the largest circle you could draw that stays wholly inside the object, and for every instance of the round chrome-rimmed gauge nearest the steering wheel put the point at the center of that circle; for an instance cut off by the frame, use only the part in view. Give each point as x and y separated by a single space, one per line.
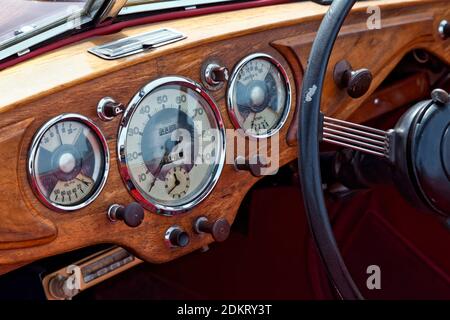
259 96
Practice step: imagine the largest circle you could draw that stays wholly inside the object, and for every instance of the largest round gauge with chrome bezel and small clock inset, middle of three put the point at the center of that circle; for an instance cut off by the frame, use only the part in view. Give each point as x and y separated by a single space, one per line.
171 145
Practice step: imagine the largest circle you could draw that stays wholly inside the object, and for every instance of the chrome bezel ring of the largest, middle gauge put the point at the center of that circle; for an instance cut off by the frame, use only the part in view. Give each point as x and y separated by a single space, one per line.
154 206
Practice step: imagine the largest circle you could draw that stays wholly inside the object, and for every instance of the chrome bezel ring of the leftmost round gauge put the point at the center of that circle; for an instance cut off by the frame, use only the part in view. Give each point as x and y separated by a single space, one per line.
34 149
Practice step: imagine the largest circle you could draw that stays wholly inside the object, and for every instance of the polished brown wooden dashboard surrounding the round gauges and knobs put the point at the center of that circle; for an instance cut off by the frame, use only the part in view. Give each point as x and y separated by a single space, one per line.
72 80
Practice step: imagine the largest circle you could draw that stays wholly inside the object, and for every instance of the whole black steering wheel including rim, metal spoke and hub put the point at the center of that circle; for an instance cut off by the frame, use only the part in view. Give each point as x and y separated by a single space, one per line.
411 149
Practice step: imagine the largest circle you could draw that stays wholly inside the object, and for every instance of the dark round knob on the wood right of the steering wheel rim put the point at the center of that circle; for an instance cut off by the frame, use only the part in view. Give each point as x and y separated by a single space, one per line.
357 82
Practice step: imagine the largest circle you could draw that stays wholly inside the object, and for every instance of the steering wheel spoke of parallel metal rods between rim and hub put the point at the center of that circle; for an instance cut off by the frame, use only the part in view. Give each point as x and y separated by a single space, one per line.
357 137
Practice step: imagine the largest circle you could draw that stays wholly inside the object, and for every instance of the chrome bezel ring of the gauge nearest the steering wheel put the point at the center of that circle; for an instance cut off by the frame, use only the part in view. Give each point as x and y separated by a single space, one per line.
232 84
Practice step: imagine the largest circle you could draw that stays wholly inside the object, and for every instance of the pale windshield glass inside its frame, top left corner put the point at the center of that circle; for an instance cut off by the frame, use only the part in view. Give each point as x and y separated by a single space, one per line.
22 16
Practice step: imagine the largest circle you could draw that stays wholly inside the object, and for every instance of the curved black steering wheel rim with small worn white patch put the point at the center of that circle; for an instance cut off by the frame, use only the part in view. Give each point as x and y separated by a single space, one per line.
308 135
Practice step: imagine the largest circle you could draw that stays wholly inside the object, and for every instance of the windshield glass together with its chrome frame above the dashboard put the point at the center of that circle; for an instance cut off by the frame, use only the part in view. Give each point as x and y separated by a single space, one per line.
26 24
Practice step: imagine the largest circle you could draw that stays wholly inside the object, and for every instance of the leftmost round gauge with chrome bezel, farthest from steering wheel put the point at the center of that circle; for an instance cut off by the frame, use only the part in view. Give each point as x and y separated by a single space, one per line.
68 162
